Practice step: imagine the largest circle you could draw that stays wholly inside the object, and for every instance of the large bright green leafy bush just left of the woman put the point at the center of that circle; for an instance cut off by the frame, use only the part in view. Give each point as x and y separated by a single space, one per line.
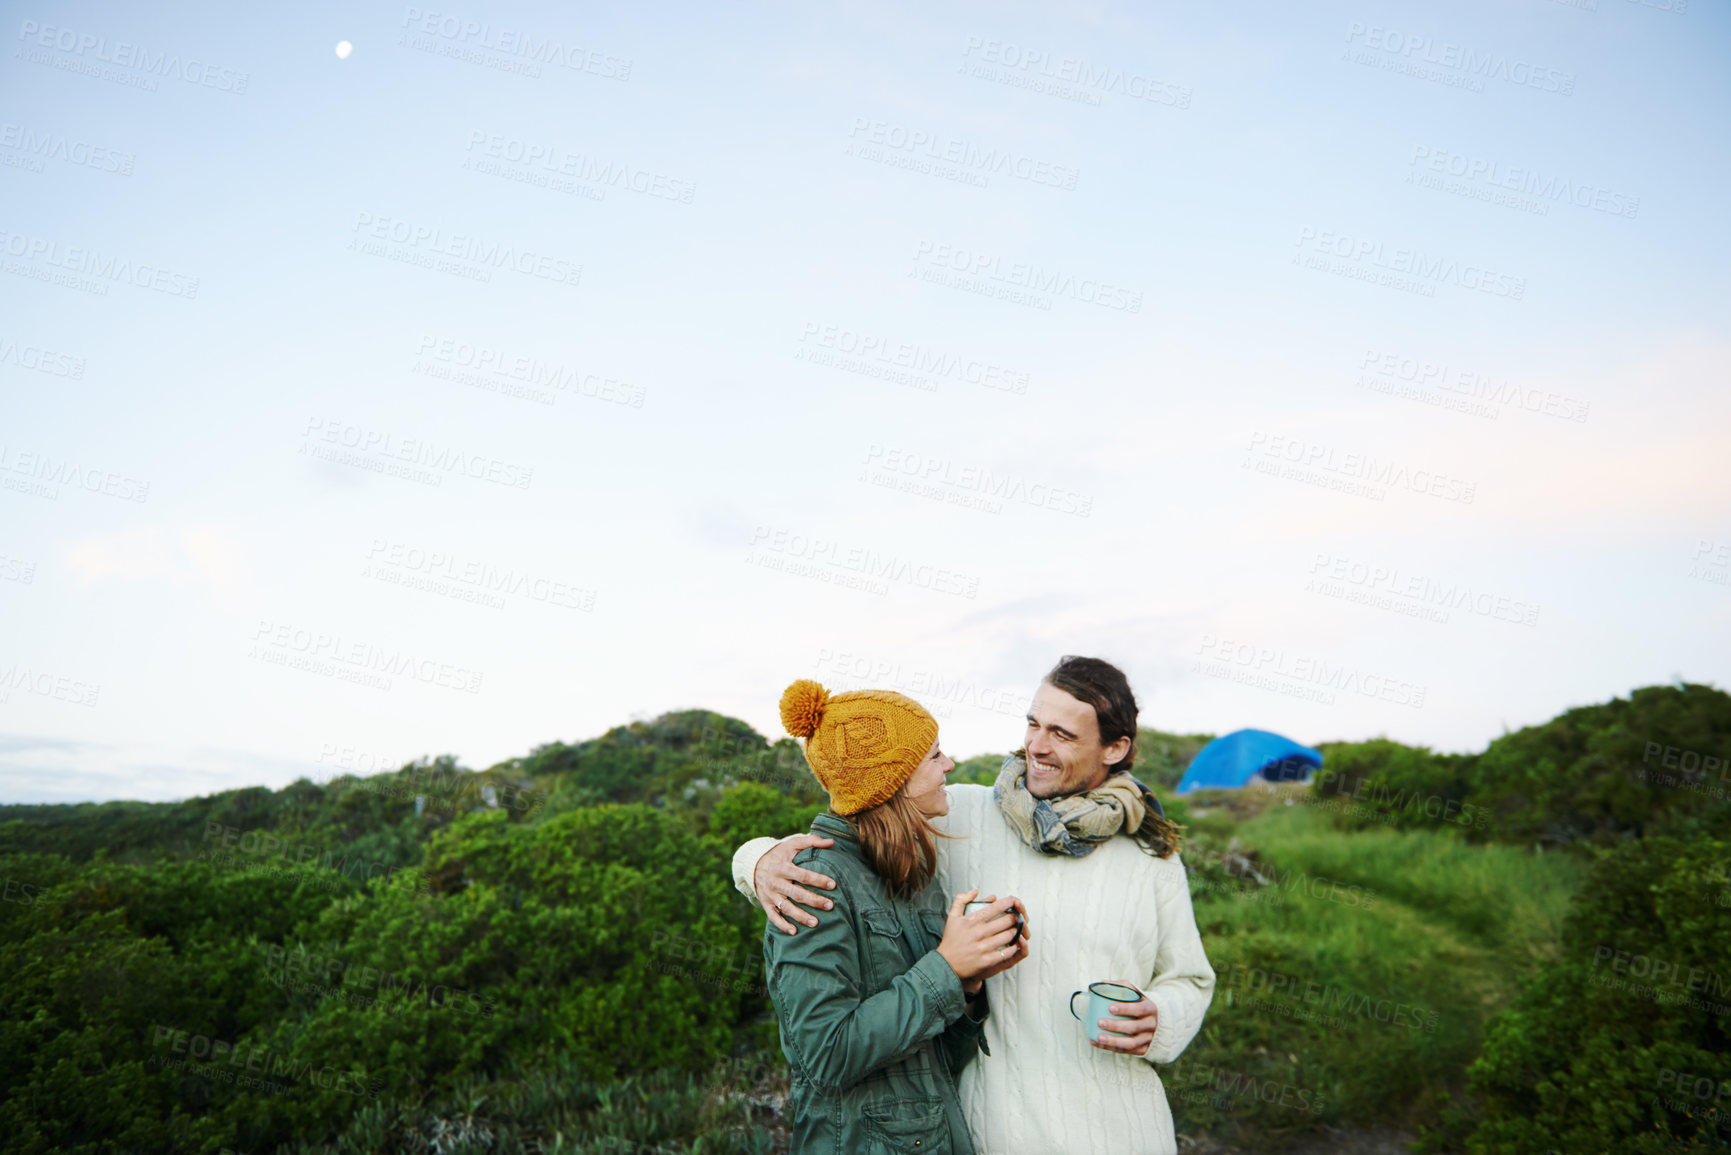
610 936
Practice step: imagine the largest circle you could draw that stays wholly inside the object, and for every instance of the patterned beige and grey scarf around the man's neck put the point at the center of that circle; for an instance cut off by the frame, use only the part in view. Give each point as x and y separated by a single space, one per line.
1074 825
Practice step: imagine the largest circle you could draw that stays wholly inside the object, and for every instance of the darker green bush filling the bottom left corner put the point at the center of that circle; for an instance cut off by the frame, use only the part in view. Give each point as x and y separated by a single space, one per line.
115 976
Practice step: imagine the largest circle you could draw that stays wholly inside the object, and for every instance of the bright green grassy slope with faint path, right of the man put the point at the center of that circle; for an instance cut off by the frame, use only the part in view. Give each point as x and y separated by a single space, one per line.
1360 983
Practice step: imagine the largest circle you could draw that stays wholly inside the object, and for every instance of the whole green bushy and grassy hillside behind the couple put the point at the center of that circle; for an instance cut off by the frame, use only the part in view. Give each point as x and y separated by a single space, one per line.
449 960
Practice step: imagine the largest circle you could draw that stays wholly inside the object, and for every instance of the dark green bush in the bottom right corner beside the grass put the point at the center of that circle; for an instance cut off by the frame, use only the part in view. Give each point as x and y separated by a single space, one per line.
1609 1050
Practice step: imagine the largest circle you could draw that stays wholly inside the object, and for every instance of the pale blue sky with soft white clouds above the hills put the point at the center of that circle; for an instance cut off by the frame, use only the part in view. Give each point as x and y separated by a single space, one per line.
1339 370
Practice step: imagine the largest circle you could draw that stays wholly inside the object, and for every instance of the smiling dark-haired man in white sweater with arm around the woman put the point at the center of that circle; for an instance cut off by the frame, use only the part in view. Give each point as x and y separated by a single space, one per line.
1095 863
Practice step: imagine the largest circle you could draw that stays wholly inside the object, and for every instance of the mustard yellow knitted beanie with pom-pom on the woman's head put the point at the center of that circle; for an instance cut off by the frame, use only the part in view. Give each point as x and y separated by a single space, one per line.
863 745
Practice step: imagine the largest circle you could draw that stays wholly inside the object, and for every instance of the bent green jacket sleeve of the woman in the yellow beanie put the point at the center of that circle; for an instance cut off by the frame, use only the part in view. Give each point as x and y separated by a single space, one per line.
835 1036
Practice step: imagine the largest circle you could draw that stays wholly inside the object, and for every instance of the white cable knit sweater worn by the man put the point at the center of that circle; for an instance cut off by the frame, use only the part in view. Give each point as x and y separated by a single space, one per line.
1117 913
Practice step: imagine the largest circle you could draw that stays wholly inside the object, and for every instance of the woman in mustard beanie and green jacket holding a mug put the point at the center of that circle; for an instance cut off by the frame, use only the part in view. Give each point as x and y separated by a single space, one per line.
884 1002
